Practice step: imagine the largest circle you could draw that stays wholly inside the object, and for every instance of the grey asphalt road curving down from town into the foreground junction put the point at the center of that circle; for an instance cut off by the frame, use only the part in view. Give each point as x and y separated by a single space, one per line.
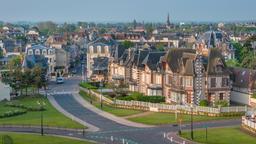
110 131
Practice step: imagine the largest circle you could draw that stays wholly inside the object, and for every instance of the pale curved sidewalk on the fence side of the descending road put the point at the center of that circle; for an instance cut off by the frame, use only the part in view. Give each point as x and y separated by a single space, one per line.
114 118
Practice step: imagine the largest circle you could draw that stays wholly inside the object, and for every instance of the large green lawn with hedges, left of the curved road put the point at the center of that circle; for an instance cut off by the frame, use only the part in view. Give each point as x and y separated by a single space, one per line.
51 116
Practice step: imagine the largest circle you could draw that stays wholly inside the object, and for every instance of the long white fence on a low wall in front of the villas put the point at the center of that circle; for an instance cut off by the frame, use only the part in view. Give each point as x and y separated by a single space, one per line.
157 107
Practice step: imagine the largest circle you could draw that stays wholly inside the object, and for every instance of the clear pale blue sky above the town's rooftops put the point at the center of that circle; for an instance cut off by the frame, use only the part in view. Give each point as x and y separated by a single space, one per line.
127 10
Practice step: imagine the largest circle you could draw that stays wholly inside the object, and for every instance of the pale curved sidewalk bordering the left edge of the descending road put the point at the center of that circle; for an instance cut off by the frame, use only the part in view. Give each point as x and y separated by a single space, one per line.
90 127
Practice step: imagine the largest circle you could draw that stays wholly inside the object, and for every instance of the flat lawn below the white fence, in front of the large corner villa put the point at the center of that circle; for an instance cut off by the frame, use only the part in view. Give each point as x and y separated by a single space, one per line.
169 118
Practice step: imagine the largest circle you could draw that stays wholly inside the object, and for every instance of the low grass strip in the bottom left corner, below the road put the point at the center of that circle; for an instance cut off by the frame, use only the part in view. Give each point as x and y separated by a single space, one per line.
37 139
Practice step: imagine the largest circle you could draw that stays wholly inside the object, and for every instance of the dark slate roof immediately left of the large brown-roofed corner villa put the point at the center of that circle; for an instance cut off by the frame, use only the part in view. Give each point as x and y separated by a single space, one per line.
152 60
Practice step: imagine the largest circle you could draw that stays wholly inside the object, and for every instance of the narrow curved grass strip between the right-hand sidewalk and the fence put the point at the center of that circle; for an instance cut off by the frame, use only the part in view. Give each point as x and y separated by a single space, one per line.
115 111
